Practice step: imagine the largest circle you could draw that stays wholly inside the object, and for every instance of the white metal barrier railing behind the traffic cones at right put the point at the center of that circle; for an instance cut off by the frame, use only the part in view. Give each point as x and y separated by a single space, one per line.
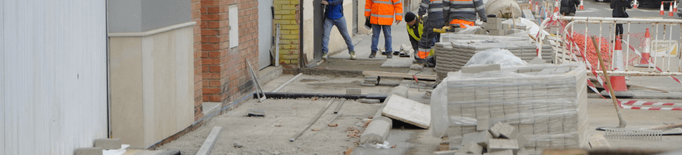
569 51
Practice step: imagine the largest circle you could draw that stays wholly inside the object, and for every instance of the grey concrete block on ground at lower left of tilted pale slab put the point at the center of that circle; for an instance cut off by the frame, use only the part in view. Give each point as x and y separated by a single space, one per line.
376 131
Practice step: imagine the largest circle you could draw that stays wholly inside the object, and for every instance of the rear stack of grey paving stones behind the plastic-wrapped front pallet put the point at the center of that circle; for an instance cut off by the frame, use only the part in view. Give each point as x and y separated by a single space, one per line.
453 54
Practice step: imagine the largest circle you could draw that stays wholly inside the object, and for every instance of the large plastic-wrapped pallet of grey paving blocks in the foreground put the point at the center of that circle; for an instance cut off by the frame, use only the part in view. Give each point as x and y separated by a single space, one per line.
546 103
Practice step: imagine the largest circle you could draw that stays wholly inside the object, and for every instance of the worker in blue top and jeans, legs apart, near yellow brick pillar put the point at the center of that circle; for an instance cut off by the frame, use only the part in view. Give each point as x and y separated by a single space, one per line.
334 16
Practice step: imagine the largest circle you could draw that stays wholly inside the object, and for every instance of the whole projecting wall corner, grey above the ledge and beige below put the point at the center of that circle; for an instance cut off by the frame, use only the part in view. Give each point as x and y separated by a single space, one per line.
152 66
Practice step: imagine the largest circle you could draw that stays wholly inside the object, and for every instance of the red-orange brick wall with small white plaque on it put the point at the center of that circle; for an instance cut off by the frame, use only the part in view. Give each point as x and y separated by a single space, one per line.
224 69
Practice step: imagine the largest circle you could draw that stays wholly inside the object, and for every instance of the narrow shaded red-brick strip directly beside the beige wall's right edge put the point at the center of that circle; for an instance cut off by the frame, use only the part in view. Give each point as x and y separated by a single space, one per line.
196 17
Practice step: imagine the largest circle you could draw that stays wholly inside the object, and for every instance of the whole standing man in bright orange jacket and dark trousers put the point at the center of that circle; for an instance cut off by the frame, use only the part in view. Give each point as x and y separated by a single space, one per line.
381 15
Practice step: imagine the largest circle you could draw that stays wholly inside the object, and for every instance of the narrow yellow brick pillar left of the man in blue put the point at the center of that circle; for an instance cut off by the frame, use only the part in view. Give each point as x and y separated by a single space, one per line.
287 15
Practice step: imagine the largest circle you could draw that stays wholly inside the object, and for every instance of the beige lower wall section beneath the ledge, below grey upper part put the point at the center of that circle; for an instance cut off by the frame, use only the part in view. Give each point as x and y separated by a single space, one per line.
152 85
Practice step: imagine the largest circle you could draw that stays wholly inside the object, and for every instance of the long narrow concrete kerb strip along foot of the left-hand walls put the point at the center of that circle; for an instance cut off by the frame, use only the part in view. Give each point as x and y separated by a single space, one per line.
199 122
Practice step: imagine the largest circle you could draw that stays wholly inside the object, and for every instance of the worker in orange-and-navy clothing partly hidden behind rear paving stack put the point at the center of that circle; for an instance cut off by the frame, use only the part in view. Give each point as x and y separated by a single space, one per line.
463 12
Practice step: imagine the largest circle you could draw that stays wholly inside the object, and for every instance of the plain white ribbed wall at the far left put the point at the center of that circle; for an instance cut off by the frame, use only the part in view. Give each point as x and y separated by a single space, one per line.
52 75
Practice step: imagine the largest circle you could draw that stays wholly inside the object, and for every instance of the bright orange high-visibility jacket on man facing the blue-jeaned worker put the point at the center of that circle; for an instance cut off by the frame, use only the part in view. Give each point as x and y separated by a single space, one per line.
381 12
